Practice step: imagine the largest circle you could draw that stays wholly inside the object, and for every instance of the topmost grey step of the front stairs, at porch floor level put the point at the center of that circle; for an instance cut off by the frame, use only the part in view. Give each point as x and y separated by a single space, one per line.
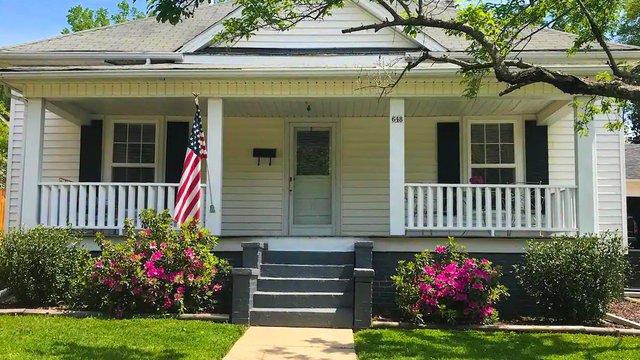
308 258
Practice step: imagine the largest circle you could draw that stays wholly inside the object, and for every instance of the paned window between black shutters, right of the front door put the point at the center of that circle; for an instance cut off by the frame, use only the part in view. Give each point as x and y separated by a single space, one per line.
493 153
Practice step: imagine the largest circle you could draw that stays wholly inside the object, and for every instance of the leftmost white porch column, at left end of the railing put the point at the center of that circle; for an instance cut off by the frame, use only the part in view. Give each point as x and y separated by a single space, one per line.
32 161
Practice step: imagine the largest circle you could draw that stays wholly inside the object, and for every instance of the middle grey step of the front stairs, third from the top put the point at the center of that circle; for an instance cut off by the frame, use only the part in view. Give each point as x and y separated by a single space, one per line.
304 285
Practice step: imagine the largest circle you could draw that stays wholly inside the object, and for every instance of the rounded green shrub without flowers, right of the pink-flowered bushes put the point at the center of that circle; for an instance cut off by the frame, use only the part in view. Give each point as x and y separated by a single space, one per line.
574 279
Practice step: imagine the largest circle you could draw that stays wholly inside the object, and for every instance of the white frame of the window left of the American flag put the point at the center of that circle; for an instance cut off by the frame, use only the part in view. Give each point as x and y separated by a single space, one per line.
110 122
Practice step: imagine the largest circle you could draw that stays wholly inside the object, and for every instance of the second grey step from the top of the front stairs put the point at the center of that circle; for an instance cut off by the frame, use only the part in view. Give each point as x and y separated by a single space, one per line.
307 271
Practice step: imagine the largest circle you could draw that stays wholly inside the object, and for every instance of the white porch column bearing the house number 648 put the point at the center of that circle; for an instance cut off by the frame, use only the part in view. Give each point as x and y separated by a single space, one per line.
396 167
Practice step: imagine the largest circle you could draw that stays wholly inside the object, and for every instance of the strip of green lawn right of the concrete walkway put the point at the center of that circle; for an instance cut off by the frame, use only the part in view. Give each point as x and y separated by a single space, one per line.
445 344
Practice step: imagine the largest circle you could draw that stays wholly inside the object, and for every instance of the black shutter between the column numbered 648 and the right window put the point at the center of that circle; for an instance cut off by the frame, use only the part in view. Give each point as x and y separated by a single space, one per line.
448 153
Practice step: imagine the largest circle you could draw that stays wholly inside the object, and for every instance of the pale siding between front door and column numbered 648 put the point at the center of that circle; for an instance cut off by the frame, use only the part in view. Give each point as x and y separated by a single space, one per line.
365 176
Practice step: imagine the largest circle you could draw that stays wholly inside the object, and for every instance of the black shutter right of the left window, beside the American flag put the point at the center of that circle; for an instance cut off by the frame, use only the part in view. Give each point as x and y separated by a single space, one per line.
177 140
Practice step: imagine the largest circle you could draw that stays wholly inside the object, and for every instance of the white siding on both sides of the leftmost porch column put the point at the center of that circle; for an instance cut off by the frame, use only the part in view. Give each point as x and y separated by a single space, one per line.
61 154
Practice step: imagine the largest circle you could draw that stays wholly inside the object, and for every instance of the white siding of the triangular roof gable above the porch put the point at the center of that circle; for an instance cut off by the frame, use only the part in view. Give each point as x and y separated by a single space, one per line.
328 34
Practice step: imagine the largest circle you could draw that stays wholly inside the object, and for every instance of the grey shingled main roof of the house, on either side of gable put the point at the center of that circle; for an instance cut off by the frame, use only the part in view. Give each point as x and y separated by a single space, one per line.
147 35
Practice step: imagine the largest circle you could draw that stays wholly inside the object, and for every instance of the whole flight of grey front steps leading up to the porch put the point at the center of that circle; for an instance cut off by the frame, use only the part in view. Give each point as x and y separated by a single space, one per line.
304 289
